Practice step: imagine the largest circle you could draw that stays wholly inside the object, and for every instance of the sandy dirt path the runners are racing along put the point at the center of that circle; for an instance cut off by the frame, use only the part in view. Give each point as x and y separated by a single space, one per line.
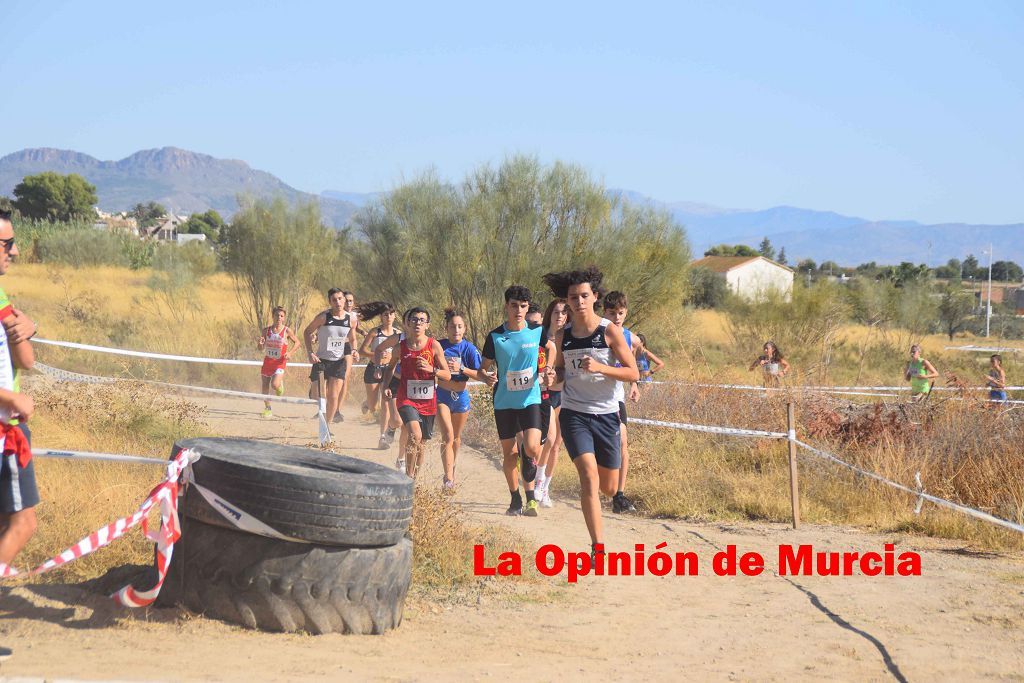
962 620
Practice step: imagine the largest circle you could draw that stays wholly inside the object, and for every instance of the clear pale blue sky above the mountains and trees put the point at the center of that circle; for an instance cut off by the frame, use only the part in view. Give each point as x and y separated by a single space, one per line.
868 109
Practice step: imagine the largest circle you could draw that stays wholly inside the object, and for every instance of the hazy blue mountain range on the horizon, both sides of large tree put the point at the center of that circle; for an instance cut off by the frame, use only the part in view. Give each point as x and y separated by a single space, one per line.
187 183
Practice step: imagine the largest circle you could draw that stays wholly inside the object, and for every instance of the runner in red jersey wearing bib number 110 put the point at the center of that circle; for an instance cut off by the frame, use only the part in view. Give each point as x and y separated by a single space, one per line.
422 364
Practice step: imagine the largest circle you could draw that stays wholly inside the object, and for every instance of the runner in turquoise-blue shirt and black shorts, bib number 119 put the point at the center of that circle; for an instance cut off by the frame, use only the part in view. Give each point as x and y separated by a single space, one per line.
514 348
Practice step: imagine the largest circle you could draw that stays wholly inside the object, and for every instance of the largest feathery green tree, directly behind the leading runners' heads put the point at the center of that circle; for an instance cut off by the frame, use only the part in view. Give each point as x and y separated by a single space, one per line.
432 242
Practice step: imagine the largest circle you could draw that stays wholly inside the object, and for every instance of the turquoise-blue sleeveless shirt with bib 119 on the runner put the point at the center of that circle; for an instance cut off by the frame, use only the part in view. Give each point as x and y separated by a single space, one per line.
516 355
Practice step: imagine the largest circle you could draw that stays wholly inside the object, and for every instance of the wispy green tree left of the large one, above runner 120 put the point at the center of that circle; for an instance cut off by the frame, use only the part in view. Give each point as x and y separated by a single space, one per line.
276 254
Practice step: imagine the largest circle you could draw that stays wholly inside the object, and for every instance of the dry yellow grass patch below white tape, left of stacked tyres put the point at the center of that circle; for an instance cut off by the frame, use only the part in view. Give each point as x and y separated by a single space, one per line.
78 498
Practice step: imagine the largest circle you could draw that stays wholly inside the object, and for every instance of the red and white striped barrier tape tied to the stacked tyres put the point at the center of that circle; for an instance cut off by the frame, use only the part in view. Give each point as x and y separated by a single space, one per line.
166 496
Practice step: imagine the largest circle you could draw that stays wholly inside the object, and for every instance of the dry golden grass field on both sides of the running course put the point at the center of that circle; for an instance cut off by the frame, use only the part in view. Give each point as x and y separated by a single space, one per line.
963 450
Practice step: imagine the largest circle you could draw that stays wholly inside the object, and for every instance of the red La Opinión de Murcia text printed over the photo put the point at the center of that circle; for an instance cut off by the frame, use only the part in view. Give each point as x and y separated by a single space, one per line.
802 561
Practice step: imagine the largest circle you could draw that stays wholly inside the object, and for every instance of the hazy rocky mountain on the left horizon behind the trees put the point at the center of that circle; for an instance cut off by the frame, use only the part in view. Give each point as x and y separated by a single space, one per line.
182 181
